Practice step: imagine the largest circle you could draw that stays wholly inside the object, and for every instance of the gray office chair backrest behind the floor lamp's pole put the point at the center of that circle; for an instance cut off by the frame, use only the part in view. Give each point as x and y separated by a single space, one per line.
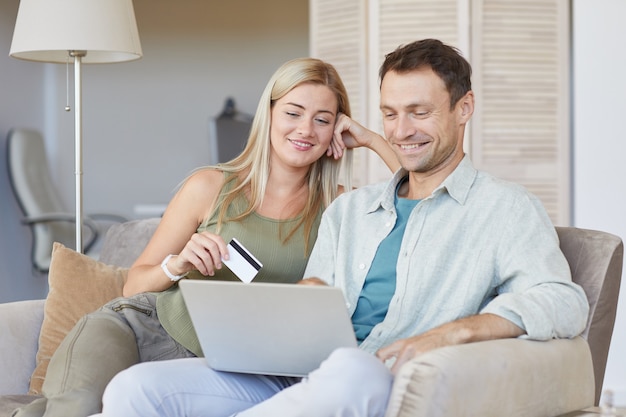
30 178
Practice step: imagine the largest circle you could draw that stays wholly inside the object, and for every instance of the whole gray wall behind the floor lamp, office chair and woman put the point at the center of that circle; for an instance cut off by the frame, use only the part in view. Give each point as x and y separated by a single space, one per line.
145 122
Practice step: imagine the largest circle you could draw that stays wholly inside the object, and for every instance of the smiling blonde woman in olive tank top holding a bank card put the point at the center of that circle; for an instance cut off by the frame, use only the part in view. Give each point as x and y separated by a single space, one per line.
270 197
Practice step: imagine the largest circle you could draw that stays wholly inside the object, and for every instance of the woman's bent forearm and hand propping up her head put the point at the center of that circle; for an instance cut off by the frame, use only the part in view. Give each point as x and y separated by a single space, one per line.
350 134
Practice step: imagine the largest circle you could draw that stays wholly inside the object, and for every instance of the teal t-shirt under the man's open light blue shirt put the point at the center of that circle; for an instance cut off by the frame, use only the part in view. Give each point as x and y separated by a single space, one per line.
380 282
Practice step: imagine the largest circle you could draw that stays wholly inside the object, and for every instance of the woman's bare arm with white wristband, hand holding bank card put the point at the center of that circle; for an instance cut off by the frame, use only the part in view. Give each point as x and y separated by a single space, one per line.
176 234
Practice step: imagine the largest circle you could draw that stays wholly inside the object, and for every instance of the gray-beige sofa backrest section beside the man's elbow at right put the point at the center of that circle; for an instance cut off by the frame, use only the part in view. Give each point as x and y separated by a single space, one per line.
596 259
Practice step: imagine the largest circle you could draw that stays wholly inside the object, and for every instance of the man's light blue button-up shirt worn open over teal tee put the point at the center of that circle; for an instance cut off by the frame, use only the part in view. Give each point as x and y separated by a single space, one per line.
478 244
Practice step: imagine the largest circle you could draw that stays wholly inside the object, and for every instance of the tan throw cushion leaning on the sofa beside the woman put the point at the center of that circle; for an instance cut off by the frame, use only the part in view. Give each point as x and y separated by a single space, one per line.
78 285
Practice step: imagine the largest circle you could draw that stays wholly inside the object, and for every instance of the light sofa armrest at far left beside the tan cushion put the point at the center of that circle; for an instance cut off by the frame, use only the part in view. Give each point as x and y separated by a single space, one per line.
20 323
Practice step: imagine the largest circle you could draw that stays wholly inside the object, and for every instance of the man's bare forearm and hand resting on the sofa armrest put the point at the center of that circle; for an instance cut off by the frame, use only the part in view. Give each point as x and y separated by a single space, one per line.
466 330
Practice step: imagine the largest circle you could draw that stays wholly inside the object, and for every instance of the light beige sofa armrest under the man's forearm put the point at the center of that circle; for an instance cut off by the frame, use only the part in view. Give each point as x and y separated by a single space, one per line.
507 377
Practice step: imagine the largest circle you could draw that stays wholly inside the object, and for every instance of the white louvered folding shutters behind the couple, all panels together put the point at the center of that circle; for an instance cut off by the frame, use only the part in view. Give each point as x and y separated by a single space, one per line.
519 51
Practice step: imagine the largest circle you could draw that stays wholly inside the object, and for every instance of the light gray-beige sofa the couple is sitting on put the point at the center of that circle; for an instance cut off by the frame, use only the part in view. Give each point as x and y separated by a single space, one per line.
513 377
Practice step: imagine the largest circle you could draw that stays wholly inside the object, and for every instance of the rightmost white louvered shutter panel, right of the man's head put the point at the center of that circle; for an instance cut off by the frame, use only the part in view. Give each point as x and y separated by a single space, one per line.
520 57
